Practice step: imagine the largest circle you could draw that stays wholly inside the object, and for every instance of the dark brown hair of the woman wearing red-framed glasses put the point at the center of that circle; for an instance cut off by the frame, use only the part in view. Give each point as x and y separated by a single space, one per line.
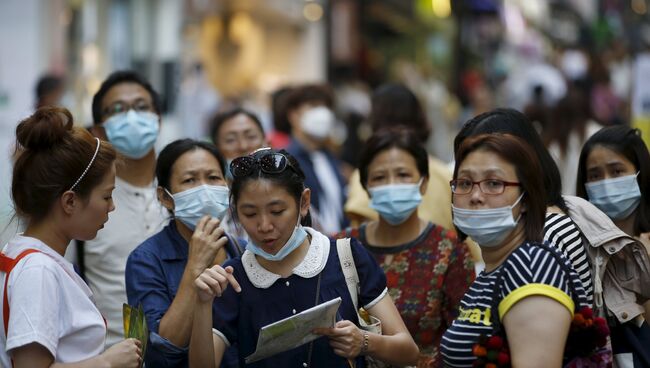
529 173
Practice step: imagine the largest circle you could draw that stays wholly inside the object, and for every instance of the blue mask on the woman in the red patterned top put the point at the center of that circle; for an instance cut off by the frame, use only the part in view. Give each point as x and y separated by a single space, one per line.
395 202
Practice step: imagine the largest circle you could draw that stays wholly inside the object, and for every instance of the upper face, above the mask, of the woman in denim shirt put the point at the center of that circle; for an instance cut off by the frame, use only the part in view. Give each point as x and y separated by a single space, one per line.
194 168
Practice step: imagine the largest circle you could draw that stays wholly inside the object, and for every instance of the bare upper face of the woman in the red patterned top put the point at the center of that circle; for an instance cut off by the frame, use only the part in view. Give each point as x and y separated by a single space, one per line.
393 166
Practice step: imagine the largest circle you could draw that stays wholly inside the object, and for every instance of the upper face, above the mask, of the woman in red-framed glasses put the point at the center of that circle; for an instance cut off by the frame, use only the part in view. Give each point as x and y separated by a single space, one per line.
481 165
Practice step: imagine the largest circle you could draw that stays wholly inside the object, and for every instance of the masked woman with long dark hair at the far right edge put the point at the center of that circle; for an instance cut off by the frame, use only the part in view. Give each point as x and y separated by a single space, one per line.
614 175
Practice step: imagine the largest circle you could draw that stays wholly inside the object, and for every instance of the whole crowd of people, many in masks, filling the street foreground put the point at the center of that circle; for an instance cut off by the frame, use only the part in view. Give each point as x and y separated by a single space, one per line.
487 264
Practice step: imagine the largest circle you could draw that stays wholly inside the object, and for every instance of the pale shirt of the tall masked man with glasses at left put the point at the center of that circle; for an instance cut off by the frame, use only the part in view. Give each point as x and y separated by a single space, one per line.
137 216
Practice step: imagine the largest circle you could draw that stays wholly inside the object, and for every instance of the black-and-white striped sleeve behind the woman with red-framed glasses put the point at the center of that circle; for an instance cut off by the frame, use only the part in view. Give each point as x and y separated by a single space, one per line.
561 232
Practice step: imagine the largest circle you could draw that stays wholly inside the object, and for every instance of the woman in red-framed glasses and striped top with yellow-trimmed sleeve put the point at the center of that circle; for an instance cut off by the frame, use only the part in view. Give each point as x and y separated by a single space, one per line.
499 200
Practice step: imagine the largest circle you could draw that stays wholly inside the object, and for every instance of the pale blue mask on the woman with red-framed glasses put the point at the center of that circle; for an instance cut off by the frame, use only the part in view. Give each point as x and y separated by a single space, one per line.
488 227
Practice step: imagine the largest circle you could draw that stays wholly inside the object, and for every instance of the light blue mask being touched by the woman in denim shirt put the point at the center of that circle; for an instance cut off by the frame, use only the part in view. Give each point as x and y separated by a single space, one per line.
192 204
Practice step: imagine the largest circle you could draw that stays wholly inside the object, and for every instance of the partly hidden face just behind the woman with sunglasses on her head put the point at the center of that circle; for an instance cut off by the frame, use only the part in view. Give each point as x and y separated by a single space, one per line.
239 136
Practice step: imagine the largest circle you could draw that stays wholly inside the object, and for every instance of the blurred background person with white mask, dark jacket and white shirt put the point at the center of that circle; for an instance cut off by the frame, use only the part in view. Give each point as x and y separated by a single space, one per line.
309 111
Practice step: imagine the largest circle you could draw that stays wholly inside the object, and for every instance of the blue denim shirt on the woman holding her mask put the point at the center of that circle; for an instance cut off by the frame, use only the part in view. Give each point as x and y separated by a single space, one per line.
153 274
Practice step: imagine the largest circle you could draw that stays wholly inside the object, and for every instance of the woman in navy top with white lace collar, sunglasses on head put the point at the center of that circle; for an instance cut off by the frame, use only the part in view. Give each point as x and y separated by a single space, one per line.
287 268
